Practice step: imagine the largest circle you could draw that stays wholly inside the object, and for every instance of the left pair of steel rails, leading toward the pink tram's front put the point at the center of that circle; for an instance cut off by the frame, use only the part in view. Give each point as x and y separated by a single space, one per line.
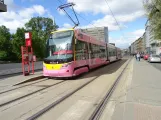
24 96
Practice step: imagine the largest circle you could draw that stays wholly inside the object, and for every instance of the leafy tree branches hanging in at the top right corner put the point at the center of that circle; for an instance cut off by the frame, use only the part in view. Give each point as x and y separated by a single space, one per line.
153 9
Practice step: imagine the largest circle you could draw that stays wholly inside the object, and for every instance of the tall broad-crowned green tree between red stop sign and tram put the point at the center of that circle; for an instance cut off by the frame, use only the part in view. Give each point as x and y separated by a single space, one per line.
40 27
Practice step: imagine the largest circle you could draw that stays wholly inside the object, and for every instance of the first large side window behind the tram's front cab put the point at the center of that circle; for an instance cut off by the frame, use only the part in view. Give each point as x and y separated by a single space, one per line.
81 50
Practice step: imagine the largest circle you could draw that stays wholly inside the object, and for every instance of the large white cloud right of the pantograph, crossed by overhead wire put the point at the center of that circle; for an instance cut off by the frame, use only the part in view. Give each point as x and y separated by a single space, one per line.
127 11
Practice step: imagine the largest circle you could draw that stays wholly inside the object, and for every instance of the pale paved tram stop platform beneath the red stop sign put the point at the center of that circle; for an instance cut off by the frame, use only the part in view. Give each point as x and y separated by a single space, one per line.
19 79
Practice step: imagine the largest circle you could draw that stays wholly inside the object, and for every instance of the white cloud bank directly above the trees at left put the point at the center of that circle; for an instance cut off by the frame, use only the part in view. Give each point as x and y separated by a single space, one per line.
14 19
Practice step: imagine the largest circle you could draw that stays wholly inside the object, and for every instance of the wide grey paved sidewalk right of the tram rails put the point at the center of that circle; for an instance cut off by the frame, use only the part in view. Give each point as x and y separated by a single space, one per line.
138 94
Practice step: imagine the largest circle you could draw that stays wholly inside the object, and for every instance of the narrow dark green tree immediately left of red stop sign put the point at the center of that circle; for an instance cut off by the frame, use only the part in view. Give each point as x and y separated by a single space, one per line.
18 41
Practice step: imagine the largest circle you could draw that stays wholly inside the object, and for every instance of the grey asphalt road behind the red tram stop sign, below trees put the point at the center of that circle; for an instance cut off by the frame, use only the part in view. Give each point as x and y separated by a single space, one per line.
15 68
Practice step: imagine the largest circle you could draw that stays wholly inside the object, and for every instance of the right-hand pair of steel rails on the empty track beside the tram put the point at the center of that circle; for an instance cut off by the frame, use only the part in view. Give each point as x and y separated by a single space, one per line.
55 103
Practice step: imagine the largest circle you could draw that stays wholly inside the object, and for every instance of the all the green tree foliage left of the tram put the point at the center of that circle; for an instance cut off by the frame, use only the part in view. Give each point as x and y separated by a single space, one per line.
10 45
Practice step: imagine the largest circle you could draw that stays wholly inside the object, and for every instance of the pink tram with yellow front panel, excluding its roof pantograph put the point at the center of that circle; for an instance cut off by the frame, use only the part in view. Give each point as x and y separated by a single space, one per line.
71 52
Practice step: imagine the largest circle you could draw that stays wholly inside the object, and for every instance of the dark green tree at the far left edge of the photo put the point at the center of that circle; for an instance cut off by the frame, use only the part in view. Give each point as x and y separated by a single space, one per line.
5 43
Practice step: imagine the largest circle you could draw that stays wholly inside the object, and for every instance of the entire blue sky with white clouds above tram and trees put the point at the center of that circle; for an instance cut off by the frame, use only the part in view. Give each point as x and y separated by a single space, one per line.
129 14
